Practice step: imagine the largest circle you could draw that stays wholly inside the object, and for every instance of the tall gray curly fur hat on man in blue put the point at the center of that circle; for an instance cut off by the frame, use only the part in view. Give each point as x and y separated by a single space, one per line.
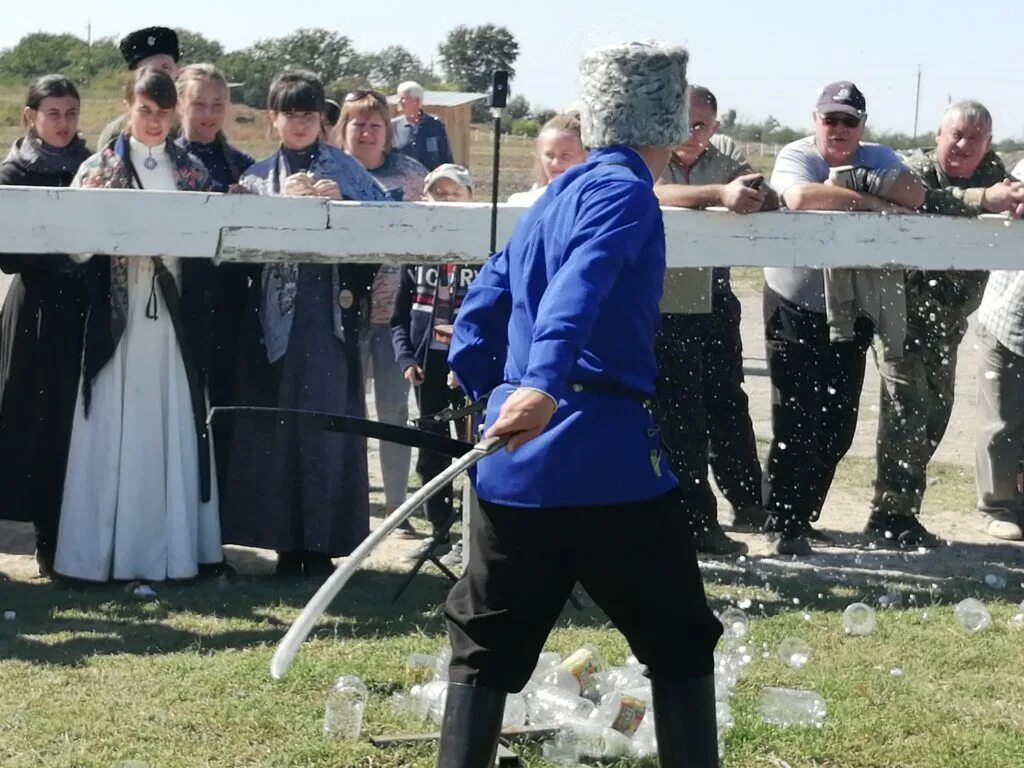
634 95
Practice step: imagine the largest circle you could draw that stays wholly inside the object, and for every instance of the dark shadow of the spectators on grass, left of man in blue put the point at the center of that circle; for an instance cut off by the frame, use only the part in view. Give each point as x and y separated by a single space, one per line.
60 624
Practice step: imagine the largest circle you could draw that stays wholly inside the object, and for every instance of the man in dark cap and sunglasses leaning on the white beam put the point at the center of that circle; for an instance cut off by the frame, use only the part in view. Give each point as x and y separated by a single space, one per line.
818 330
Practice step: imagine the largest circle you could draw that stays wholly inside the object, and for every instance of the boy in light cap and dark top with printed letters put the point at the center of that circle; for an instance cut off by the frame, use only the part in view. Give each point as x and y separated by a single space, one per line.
430 296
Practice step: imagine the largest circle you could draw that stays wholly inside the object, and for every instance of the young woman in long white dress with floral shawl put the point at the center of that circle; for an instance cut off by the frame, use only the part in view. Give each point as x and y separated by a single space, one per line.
141 502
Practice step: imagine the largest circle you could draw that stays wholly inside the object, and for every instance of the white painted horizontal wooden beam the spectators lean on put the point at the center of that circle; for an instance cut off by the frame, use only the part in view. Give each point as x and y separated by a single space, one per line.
242 228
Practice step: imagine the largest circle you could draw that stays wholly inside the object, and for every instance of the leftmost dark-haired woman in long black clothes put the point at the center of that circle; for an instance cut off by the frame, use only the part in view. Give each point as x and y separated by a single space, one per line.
40 327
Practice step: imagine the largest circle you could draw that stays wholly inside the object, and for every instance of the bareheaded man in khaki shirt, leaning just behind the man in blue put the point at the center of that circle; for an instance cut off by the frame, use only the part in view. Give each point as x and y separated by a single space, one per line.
701 356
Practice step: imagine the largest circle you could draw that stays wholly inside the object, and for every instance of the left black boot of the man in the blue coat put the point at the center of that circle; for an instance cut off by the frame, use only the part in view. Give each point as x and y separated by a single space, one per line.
473 726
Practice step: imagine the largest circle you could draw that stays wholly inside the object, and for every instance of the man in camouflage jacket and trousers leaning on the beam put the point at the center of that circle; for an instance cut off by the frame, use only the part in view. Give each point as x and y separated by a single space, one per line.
964 178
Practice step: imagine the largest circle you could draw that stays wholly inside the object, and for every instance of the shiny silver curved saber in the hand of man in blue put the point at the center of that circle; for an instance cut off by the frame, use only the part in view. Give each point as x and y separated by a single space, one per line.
304 625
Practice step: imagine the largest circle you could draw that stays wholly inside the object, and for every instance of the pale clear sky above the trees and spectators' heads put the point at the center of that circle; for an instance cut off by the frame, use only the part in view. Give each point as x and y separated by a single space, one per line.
760 59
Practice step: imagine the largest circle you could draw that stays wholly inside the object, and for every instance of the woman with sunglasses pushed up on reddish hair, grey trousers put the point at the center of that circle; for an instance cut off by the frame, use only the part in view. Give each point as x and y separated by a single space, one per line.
365 134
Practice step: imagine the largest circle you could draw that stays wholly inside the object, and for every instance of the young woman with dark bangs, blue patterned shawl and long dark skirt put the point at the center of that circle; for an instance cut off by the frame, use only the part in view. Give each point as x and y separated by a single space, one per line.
293 487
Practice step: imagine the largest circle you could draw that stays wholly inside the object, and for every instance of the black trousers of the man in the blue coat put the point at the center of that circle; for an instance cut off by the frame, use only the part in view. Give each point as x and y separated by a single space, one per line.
636 561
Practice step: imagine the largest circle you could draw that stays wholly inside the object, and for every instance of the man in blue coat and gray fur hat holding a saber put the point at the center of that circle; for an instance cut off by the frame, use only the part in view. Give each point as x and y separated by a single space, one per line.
560 328
